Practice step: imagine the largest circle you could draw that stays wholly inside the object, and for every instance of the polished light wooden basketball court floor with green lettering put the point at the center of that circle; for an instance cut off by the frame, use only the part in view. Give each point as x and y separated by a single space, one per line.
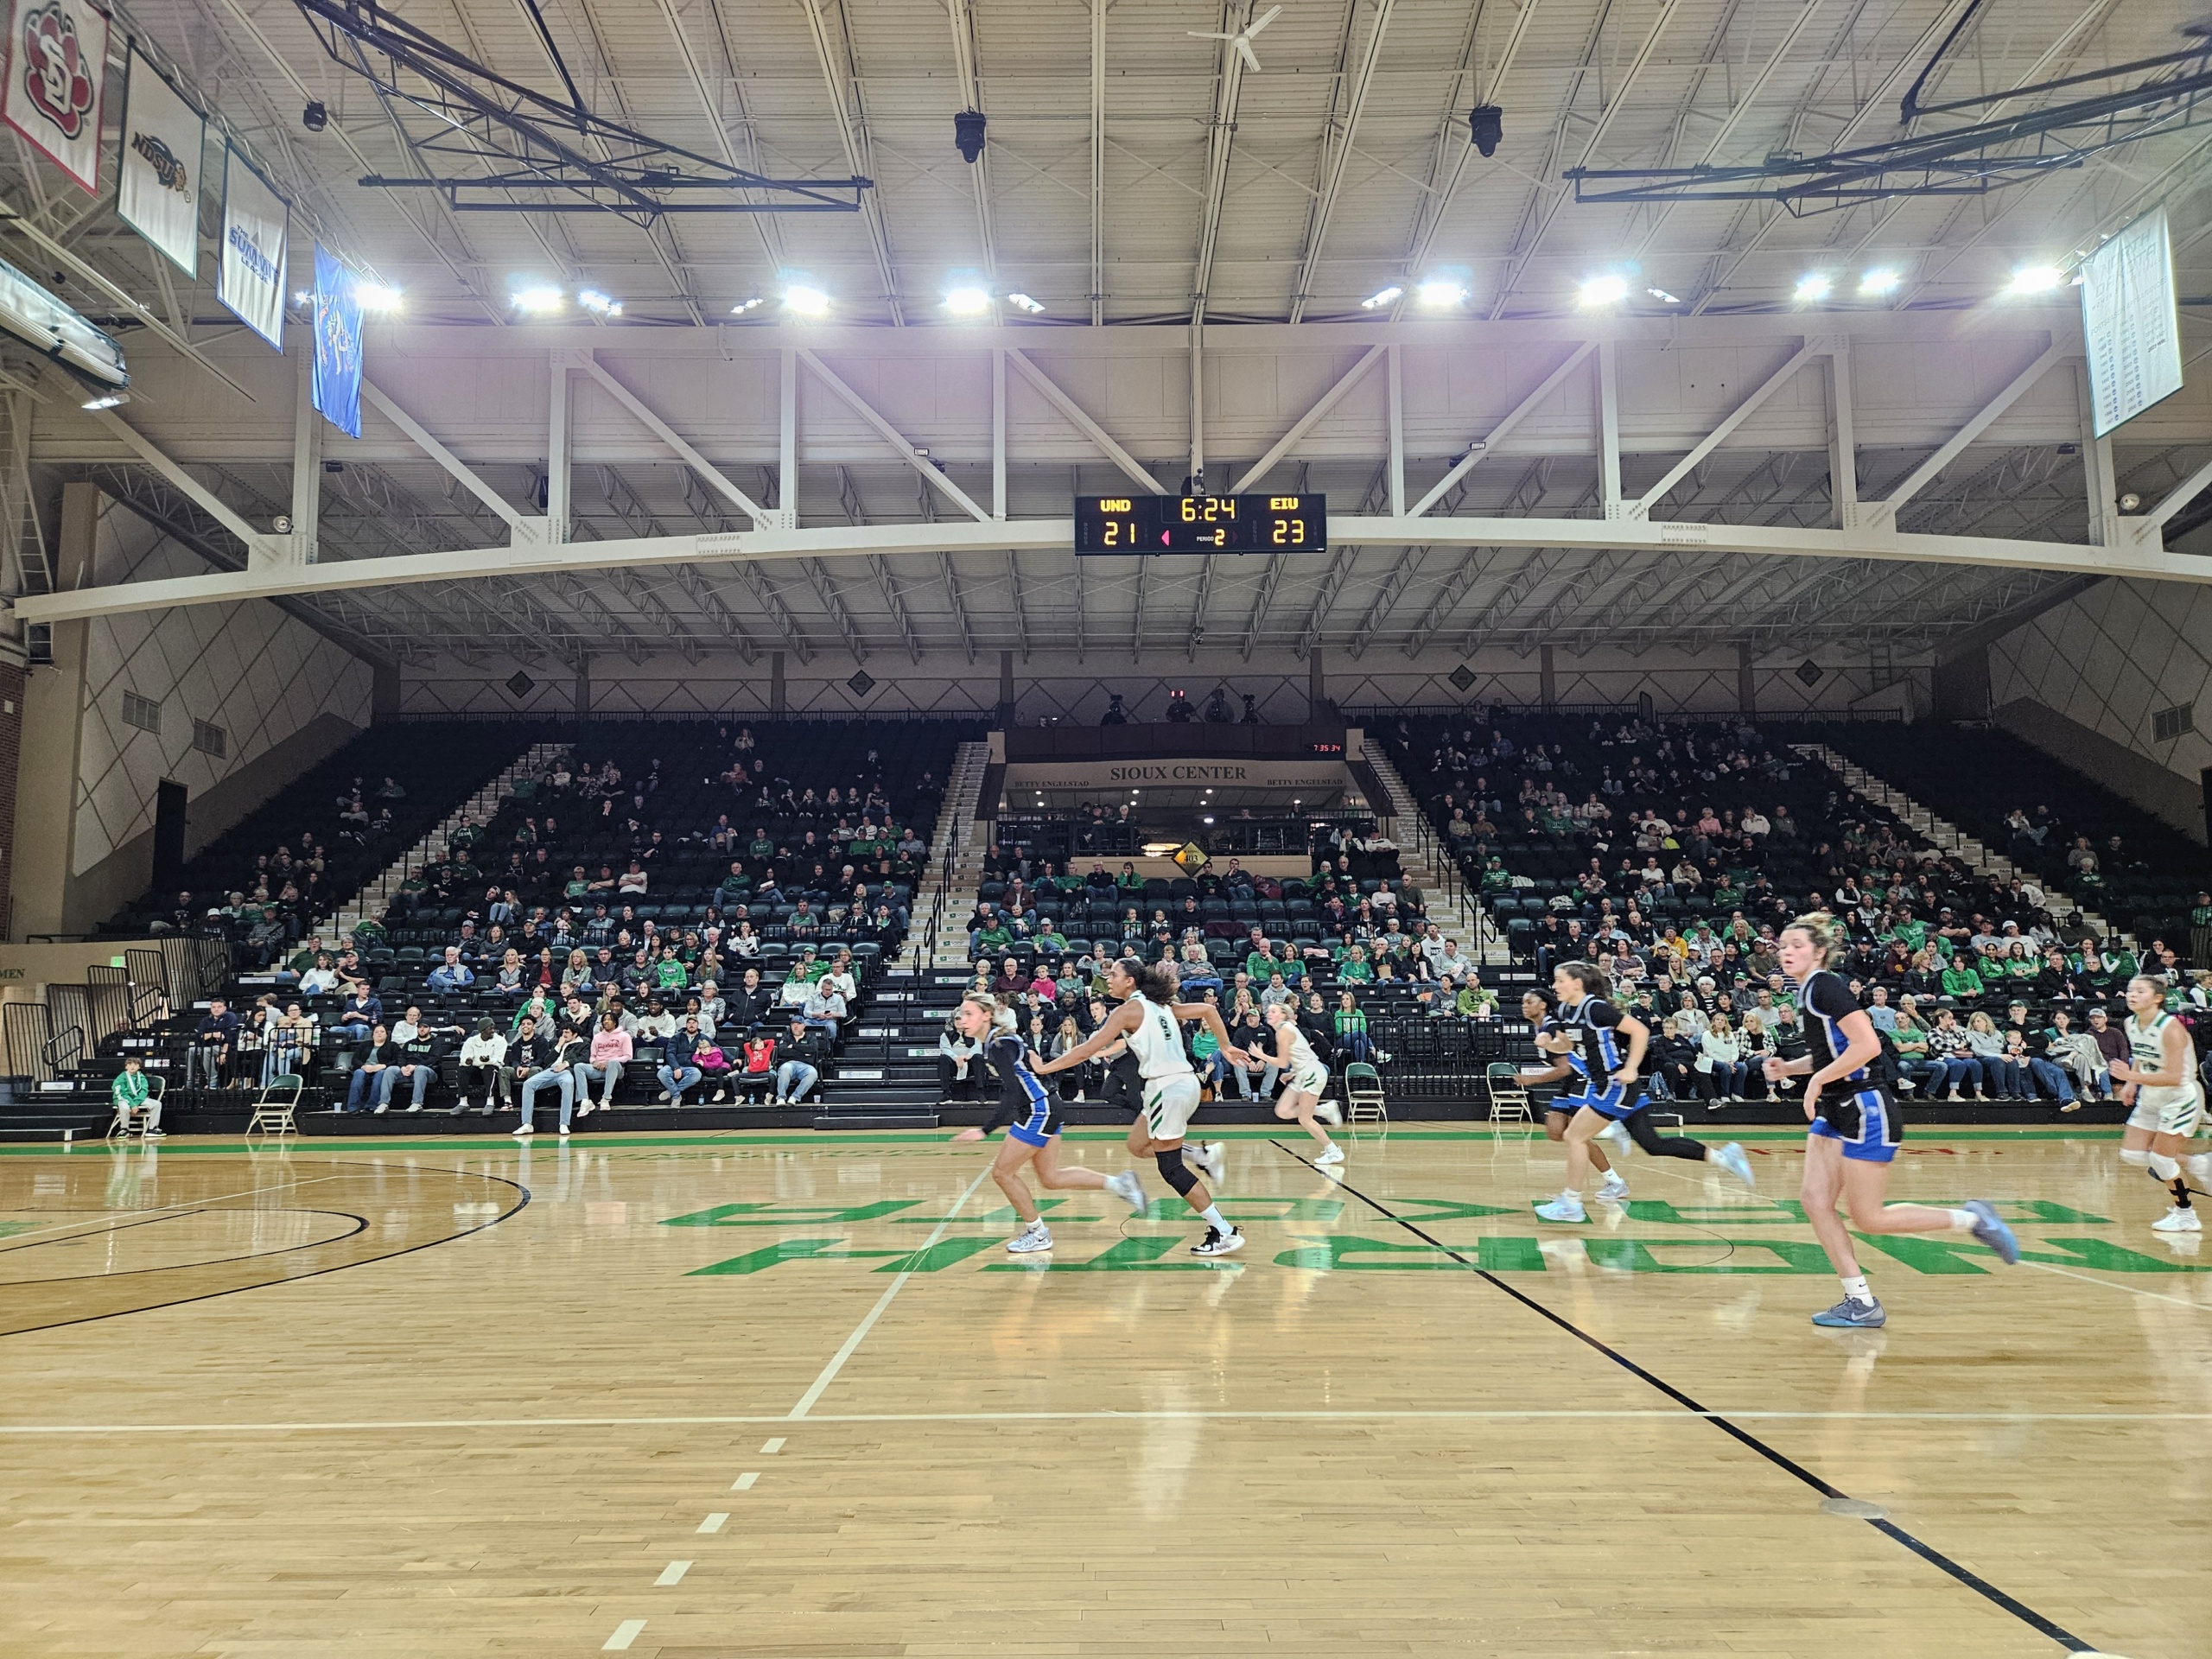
786 1395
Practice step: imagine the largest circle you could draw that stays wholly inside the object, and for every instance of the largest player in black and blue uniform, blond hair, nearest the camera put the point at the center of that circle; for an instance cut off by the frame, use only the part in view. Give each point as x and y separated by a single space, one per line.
1855 1129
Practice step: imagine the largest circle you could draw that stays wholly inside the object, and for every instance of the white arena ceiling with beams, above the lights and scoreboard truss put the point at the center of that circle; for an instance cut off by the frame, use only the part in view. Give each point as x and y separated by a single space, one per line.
1142 178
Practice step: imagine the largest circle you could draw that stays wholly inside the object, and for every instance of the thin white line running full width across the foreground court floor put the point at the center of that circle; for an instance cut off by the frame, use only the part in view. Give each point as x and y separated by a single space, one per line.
1222 1415
